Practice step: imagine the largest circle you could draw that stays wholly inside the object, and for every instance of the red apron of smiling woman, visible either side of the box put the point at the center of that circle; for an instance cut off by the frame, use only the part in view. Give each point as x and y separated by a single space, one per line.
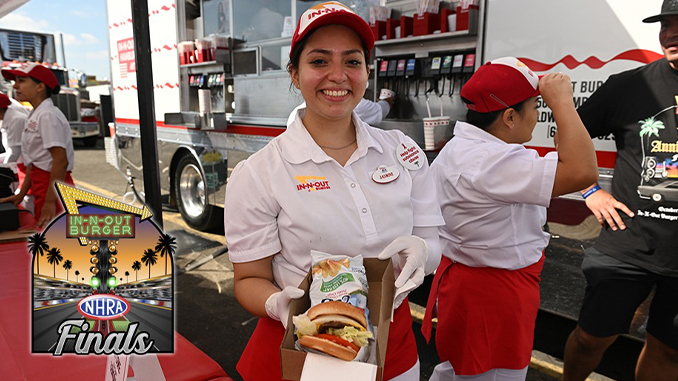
401 353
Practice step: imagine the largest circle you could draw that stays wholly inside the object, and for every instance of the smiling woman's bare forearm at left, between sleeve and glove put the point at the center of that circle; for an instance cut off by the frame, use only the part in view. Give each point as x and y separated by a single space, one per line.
253 284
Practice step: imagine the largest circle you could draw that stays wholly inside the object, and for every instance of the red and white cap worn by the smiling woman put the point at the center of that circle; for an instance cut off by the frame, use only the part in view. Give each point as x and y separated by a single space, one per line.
329 13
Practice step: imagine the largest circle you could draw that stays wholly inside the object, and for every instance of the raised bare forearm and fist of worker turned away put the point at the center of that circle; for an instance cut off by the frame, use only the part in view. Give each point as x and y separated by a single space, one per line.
577 165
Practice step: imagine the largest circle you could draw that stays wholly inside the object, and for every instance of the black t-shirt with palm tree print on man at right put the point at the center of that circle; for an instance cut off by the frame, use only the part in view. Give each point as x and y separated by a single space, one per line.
639 108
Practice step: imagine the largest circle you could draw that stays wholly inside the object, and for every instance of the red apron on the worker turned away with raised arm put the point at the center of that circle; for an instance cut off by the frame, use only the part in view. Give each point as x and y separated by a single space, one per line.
486 316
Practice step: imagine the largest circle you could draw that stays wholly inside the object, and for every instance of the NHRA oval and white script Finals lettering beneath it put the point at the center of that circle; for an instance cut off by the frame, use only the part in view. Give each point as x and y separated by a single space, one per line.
102 307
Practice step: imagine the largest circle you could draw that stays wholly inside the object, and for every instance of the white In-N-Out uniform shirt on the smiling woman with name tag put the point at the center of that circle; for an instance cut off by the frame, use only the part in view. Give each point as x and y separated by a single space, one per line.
291 197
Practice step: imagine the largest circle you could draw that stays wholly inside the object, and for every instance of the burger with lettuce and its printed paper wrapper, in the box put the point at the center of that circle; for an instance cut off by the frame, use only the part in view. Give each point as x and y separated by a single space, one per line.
338 321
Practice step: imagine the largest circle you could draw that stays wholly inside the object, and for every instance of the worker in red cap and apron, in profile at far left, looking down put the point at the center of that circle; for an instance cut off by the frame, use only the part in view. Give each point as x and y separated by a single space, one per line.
46 142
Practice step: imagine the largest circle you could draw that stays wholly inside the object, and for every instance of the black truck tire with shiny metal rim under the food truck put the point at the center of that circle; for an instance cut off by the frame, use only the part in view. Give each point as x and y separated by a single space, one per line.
189 188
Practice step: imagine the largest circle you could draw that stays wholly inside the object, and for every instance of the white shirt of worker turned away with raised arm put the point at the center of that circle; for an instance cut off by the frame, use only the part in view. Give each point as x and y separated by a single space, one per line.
493 196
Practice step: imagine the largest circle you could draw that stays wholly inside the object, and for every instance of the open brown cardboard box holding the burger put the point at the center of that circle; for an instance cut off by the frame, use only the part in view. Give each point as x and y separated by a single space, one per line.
381 280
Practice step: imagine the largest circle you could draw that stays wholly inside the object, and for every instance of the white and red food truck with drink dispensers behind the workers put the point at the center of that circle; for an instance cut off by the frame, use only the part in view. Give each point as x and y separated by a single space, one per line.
222 92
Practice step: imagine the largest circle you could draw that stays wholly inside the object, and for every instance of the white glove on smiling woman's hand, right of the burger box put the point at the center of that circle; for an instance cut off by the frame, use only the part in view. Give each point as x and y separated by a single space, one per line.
412 255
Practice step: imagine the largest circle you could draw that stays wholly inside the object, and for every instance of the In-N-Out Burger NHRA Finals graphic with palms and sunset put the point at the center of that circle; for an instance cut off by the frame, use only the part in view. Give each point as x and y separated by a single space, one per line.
106 284
